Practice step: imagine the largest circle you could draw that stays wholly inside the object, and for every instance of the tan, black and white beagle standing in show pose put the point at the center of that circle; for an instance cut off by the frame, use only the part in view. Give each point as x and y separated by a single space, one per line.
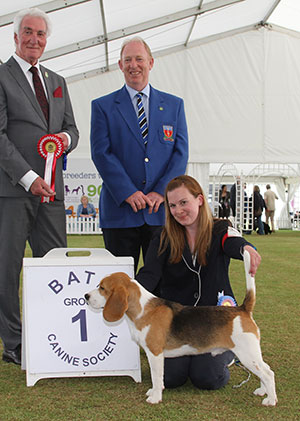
167 329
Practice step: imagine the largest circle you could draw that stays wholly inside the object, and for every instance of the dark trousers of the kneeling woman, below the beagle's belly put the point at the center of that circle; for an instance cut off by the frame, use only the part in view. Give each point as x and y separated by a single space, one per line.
205 371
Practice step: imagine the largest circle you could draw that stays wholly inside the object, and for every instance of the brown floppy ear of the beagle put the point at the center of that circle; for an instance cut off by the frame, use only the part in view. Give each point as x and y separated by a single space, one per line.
116 304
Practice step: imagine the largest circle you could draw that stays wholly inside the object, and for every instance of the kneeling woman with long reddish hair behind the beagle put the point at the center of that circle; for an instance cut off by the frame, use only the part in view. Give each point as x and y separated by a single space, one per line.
187 262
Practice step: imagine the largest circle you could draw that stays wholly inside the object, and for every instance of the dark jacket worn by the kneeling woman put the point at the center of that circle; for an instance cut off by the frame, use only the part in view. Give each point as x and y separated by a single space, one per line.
184 281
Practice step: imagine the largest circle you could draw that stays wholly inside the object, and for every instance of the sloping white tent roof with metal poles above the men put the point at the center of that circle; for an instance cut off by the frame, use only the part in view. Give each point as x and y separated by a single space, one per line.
87 34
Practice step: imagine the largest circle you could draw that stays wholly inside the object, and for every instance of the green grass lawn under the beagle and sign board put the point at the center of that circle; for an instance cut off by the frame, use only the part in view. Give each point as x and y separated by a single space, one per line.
120 398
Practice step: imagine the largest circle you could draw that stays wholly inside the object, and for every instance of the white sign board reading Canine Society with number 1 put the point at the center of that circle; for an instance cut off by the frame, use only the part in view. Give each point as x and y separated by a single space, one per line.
62 336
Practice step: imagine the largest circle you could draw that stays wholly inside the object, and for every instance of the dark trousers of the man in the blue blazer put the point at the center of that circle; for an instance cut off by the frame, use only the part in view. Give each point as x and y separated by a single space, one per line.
128 241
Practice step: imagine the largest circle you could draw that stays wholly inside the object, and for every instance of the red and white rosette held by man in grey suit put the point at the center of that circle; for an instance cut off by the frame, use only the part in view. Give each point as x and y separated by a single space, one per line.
50 147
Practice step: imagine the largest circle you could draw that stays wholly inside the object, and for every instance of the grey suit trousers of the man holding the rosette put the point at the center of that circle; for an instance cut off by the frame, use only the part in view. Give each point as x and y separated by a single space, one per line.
21 219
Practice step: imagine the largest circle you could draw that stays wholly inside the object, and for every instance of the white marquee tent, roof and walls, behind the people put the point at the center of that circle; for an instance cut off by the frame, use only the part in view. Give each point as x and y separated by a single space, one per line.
236 63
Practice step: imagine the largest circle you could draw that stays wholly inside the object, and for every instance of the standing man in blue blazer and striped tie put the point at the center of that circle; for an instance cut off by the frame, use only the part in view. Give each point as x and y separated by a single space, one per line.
136 159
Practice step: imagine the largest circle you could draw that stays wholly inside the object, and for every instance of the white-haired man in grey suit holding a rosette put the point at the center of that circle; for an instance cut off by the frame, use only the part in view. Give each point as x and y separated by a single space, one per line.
23 215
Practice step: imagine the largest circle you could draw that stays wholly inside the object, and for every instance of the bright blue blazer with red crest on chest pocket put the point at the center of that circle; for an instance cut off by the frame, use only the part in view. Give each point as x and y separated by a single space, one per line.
126 164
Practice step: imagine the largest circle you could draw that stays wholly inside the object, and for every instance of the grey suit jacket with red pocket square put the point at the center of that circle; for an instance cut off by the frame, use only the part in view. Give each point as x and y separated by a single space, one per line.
22 124
